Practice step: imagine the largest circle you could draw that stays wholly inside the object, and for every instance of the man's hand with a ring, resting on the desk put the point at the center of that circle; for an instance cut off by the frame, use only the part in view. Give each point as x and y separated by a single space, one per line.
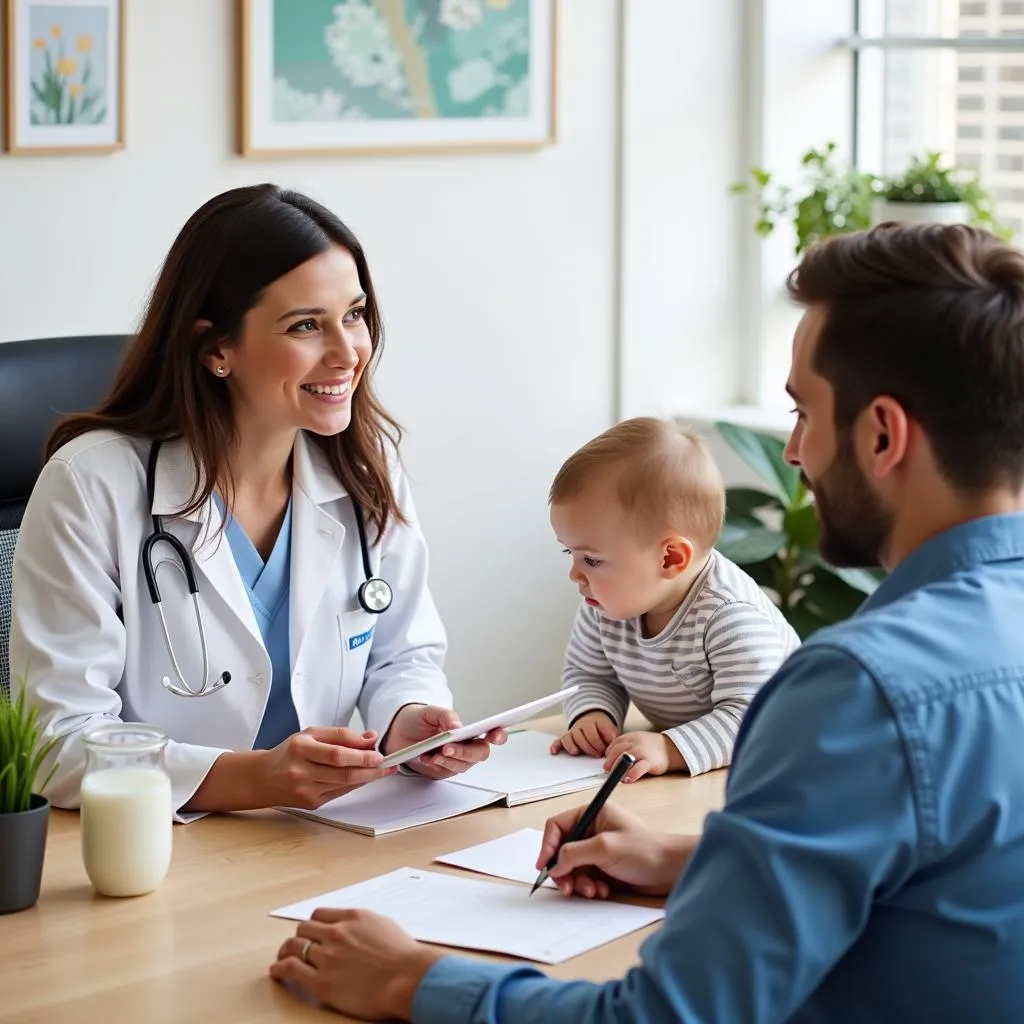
356 962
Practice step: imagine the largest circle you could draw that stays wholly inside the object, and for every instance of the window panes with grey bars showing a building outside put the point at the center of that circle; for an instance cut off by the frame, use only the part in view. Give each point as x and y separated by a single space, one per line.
935 75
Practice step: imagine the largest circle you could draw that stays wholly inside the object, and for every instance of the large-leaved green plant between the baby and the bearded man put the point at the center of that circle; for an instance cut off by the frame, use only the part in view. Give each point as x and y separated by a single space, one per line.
774 535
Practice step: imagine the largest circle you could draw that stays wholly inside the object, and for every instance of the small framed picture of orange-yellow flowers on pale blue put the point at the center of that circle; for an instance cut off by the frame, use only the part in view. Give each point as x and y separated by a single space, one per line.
65 82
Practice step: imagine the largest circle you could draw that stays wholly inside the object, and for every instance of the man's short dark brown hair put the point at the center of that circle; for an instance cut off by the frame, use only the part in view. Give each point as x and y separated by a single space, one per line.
933 317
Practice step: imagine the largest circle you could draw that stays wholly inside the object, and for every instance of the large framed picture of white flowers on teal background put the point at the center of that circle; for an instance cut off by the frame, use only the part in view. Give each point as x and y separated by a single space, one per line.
381 76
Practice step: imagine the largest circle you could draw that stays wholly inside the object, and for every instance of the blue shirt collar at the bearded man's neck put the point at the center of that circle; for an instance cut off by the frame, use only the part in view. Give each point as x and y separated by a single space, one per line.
991 539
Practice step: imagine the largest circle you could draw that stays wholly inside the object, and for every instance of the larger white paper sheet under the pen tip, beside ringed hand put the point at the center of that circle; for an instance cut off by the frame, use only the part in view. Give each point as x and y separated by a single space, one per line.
489 916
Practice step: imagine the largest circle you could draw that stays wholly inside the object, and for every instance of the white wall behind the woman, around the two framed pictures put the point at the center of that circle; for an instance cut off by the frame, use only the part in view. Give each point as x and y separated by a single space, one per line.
497 276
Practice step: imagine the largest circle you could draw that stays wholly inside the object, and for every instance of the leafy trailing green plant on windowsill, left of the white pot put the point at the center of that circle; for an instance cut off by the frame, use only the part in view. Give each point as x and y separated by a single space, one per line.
833 199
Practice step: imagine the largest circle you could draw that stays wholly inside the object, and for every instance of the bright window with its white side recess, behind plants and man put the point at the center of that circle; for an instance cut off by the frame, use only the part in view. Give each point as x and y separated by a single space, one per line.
916 76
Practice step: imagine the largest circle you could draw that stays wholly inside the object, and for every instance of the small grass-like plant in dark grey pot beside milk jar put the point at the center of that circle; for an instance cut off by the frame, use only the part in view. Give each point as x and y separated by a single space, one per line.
24 814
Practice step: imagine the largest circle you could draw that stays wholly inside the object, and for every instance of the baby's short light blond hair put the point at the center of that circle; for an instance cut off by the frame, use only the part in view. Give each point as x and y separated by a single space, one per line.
662 475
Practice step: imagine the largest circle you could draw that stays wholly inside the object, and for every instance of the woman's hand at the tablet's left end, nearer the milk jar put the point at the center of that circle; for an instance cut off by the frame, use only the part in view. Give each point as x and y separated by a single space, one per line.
319 764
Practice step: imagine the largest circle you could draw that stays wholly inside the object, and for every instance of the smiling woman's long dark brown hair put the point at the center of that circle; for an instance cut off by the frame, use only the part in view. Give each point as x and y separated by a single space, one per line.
229 251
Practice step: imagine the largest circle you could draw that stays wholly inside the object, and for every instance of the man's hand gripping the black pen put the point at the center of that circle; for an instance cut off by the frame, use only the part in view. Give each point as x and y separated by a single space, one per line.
621 854
